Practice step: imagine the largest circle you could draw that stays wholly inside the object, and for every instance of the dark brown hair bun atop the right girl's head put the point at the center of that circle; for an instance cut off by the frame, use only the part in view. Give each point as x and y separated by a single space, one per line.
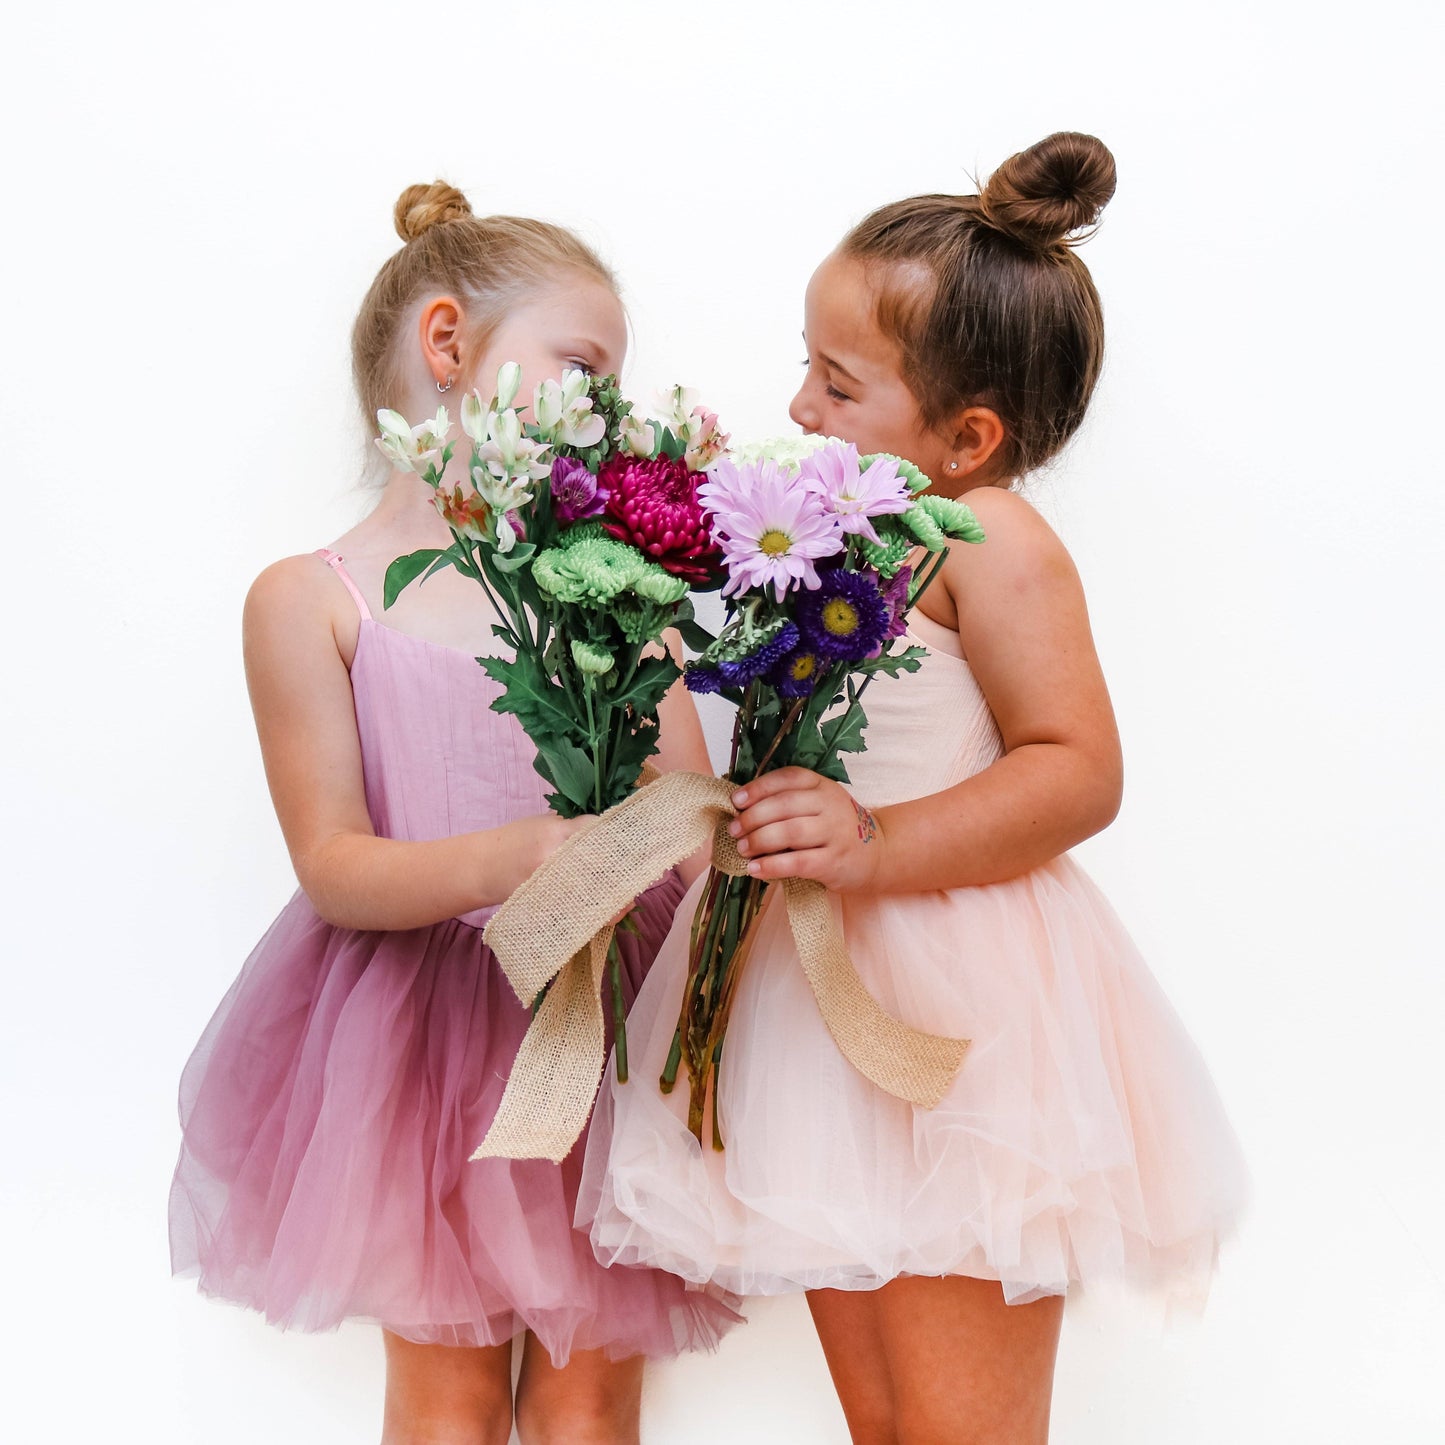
1054 189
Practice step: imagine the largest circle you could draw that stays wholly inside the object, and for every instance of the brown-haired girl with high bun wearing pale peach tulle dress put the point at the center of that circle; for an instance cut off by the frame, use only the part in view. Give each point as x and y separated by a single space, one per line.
1082 1141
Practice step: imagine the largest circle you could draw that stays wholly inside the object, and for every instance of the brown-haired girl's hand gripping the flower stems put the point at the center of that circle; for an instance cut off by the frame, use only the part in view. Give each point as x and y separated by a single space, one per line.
795 824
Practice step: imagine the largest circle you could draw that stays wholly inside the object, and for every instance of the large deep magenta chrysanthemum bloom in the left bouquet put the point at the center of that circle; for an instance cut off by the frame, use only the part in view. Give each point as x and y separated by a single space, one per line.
654 505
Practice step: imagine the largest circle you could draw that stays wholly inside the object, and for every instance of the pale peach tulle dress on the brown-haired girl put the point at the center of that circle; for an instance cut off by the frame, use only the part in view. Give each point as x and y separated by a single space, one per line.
1082 1144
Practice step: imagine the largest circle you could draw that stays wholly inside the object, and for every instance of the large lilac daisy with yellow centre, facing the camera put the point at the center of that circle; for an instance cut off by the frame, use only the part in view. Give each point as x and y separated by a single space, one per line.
772 530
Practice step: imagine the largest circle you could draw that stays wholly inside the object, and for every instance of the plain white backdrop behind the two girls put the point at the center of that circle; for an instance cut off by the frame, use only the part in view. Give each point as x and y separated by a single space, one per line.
196 200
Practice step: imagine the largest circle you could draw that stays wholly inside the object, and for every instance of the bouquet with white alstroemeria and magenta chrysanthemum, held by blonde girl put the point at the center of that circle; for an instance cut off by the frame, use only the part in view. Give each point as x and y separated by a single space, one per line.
583 525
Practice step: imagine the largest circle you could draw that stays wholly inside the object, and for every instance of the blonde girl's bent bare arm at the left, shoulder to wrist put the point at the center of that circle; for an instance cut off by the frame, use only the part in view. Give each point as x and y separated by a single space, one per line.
301 696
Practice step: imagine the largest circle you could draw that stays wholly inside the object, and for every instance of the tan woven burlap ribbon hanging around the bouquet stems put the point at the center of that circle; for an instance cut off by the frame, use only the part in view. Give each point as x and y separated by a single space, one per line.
557 927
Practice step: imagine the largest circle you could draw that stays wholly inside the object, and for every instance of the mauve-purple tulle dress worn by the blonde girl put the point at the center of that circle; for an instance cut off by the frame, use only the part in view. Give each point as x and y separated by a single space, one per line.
332 1105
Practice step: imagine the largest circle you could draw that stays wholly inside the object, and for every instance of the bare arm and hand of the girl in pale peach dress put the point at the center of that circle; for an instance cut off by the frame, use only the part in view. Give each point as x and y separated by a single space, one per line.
1025 631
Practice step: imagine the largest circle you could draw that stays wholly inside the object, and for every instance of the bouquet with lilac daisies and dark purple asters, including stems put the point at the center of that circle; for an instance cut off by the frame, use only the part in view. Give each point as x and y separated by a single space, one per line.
817 543
